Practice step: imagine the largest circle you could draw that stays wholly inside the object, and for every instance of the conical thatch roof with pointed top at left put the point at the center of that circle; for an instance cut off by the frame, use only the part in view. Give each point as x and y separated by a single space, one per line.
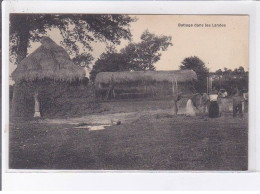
49 61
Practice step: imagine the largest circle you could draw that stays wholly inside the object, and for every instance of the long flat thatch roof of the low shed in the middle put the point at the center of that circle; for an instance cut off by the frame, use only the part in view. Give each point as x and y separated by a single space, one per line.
119 77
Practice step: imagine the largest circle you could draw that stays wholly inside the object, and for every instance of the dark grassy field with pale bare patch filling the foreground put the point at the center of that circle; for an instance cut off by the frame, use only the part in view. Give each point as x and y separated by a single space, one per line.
148 137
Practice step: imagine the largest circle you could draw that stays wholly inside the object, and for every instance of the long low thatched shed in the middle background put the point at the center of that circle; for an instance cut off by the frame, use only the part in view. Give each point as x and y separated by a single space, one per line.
143 83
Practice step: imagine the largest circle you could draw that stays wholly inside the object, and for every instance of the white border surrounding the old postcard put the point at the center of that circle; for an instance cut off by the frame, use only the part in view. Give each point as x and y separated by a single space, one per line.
118 180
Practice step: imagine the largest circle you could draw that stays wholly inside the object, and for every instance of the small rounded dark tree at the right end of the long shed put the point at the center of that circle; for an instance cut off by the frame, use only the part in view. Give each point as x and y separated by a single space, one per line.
196 64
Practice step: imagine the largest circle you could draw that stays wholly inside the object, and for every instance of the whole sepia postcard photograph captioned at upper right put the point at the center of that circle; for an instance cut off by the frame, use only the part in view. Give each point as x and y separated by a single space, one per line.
128 92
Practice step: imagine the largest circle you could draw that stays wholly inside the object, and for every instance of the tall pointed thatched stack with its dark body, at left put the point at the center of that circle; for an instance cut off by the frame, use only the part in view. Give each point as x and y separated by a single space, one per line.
42 77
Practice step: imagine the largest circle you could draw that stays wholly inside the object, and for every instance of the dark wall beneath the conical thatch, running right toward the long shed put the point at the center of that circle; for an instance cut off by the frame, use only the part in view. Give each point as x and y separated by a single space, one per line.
57 99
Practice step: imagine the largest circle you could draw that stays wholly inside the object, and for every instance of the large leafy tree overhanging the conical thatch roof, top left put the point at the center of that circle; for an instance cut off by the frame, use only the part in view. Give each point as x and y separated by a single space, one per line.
77 30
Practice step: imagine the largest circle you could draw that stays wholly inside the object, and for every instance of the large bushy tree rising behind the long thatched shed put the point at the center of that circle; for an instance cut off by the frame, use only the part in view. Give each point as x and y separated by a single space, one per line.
135 56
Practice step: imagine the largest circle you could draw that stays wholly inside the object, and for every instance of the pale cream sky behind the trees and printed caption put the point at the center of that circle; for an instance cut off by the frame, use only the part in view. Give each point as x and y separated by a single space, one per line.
223 43
